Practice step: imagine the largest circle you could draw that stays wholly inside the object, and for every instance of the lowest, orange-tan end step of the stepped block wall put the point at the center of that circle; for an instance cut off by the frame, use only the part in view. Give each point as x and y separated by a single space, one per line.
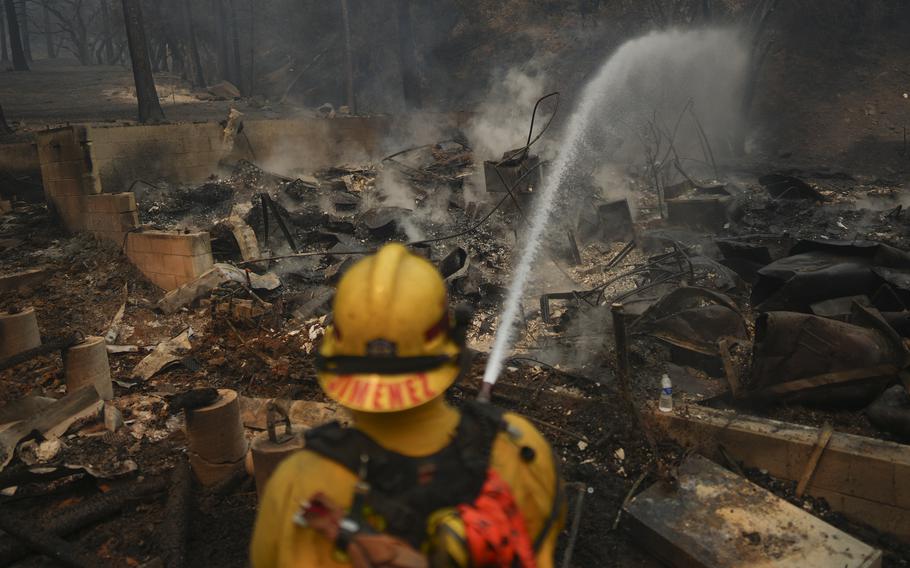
170 259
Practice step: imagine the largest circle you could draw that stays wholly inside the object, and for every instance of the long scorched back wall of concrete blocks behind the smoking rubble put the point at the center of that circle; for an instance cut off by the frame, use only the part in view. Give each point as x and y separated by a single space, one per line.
191 152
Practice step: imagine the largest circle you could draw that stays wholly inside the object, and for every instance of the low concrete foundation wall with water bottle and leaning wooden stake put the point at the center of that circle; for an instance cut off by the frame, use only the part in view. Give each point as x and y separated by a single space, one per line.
860 477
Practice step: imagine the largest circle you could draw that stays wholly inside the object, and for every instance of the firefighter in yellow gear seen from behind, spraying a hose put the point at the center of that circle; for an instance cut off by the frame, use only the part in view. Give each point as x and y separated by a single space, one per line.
413 481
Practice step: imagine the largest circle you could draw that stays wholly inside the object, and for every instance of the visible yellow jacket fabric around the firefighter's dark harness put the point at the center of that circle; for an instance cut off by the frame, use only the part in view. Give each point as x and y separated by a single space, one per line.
278 542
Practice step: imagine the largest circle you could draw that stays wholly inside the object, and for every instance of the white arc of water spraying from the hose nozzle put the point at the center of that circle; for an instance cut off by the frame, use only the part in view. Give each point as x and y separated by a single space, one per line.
657 72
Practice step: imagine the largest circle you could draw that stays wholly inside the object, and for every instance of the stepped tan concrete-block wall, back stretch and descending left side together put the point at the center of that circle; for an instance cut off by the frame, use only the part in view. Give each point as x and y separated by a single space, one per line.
88 170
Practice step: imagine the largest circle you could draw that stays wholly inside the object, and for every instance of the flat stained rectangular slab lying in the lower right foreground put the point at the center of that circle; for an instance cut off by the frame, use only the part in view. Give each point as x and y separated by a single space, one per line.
713 518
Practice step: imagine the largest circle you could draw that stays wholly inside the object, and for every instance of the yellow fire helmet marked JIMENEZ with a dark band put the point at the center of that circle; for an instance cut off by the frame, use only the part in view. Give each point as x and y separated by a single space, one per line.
391 345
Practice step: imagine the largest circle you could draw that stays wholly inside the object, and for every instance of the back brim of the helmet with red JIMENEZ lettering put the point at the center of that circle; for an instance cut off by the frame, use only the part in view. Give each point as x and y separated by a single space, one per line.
383 394
